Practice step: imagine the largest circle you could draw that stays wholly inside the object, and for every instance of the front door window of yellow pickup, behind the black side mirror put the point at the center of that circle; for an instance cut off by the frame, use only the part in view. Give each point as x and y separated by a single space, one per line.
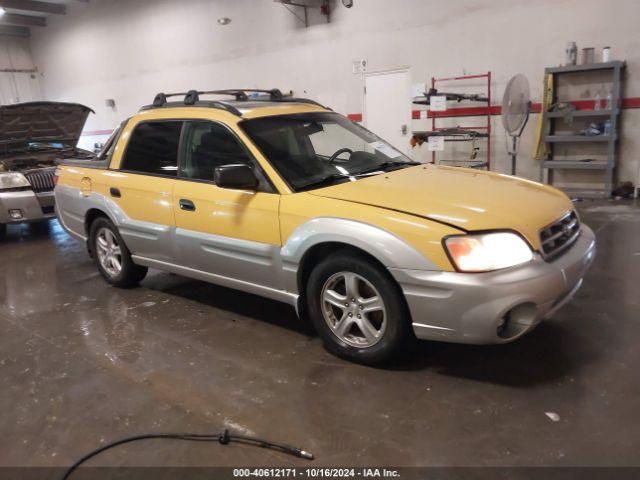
208 145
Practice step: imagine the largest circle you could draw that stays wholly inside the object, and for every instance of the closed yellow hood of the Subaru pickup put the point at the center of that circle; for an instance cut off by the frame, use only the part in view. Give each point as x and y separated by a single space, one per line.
469 200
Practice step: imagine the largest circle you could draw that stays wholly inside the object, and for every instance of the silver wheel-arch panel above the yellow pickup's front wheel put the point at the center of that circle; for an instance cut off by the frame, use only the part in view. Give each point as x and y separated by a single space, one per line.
386 247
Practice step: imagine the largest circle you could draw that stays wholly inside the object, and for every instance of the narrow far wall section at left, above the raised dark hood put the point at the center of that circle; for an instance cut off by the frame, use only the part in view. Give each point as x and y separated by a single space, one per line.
17 86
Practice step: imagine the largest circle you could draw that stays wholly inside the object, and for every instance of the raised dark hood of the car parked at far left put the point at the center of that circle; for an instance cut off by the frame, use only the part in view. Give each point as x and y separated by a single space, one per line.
46 122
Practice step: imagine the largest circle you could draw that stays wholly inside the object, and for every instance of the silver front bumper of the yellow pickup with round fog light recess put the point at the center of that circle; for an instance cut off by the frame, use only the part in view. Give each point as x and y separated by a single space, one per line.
494 307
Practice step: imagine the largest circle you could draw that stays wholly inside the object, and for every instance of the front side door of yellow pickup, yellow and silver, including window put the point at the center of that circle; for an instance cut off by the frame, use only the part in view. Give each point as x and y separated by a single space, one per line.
224 232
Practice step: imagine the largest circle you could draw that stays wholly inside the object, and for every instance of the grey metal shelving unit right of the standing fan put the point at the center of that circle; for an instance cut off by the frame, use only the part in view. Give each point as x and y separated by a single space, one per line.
551 164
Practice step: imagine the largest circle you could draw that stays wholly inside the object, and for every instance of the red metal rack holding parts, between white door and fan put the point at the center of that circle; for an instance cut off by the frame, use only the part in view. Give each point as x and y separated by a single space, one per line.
467 112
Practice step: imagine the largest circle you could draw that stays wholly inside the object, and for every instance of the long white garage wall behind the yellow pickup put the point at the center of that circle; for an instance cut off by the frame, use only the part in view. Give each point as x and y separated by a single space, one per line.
130 49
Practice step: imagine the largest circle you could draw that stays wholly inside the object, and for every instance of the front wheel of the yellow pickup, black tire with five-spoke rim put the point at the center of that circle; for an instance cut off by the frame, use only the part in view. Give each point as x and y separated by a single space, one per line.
344 324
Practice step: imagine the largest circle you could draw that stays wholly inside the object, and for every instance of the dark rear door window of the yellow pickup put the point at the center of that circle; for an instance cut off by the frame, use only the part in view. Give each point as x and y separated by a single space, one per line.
153 148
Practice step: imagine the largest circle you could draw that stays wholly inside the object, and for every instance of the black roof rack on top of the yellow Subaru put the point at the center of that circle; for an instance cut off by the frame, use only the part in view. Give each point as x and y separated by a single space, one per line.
192 97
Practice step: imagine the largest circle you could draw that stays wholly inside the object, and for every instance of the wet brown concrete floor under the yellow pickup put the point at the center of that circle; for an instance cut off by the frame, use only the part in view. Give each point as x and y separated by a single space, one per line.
82 363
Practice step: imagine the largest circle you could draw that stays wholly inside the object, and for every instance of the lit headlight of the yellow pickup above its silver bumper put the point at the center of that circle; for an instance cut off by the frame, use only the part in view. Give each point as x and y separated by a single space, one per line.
488 251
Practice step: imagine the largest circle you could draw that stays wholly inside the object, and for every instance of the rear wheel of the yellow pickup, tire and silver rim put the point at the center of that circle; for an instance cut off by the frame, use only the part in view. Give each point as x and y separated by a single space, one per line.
110 251
